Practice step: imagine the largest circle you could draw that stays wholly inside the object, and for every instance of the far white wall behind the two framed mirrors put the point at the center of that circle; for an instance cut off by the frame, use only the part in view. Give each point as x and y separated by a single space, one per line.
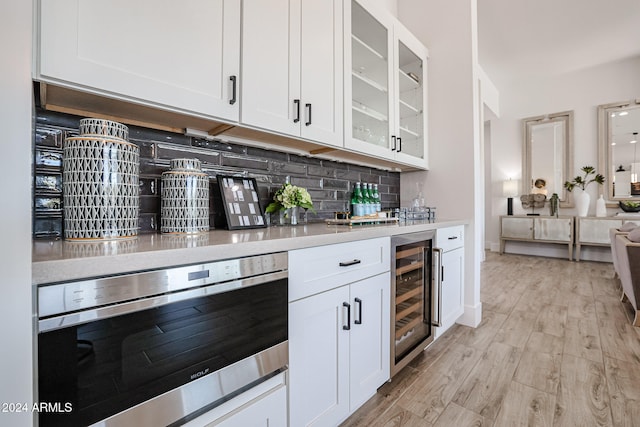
581 92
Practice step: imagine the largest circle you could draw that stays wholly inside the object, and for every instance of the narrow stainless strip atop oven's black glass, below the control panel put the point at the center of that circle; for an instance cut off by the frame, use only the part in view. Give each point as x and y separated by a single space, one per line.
99 313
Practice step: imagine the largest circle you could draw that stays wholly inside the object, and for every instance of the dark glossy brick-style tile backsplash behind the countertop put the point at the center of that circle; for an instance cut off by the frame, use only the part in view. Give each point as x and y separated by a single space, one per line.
329 183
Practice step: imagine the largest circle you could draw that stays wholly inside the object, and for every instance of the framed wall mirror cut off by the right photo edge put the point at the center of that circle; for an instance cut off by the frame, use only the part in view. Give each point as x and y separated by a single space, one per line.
618 152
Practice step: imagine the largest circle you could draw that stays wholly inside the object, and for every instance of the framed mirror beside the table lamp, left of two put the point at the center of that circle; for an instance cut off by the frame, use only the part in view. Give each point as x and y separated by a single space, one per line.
548 155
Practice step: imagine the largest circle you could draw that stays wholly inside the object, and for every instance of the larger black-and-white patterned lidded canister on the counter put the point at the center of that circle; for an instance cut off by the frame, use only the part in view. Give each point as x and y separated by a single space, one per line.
100 182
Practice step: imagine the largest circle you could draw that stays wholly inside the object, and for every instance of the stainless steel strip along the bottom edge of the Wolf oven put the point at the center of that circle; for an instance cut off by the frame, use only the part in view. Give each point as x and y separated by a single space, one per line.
197 395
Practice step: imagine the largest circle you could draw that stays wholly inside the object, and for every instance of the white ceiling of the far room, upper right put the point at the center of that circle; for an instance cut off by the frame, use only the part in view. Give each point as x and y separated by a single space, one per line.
525 38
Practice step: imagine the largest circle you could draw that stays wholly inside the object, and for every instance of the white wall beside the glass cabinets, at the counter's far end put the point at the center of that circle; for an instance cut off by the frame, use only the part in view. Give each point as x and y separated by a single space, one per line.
454 182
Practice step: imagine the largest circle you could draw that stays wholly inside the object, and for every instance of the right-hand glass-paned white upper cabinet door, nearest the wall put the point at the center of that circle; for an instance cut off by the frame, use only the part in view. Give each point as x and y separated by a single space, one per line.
410 141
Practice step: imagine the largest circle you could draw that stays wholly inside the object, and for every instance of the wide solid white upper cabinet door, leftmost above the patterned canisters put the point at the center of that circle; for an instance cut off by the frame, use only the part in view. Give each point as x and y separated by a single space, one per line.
181 56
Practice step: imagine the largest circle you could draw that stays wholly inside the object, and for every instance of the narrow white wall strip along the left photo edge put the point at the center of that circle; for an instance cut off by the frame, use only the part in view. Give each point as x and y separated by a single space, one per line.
16 379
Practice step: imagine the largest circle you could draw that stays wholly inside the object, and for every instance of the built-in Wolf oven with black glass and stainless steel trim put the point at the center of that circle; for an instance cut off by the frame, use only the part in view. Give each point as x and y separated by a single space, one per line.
160 347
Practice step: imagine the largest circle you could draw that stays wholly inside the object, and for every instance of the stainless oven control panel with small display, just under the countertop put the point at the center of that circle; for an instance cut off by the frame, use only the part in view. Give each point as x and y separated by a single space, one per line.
76 296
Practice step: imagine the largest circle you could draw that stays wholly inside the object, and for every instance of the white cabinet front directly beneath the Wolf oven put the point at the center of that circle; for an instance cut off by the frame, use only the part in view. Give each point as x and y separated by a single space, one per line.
264 405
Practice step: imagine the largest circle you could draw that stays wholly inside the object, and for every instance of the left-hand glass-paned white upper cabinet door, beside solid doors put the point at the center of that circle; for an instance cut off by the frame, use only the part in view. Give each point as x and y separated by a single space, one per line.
368 80
